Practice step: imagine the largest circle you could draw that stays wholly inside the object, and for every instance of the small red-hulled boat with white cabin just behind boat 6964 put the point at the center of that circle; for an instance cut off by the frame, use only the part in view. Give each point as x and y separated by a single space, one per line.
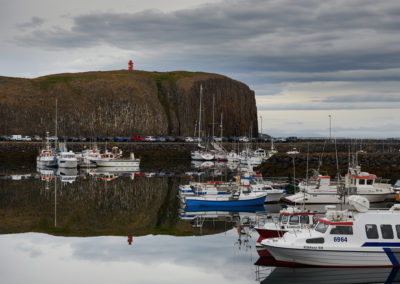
291 218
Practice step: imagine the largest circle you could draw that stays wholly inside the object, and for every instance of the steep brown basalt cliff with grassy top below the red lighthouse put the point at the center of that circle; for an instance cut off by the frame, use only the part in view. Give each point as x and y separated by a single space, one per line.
123 103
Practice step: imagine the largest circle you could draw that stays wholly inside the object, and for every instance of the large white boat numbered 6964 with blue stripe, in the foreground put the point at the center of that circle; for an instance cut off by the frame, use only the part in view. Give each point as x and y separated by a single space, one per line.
356 237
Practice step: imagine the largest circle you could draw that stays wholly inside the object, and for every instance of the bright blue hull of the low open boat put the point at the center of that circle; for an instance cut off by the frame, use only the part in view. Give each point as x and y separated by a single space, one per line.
223 202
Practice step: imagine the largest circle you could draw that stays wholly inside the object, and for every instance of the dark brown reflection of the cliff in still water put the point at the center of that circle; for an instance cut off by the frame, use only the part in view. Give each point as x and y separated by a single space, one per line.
92 204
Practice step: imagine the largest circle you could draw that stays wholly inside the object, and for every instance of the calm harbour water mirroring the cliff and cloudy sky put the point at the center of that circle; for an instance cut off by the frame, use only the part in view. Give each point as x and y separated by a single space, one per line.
102 227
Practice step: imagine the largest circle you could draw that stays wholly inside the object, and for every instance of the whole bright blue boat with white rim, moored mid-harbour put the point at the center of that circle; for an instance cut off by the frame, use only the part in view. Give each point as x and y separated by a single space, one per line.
243 197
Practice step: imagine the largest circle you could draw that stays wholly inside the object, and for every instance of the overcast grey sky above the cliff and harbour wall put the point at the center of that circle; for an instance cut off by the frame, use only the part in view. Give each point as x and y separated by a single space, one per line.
305 59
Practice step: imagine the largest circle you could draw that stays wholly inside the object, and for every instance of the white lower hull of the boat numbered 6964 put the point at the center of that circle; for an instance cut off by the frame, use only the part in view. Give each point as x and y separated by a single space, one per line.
336 258
